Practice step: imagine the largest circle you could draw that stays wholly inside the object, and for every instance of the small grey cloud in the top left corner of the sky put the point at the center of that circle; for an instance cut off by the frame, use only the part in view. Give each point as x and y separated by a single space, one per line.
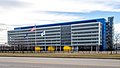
11 3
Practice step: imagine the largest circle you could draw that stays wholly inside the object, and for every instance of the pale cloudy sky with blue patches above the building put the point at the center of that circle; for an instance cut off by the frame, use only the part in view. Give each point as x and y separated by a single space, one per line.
14 13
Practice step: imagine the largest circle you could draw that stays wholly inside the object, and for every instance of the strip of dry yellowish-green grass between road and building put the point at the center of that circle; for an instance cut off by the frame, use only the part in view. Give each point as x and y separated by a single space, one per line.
63 55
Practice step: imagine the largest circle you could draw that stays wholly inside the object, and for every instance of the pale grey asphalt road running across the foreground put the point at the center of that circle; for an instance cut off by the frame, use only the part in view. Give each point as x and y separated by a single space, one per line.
29 62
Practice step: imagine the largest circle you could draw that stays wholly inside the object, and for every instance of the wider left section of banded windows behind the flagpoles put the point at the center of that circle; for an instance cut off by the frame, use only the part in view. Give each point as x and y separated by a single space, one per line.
27 37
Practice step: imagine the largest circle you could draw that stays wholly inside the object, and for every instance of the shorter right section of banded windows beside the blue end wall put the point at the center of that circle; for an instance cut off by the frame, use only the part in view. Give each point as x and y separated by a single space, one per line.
86 34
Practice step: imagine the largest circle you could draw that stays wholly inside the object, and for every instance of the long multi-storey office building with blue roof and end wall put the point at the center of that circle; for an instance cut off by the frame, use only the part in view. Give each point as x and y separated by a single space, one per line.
79 35
